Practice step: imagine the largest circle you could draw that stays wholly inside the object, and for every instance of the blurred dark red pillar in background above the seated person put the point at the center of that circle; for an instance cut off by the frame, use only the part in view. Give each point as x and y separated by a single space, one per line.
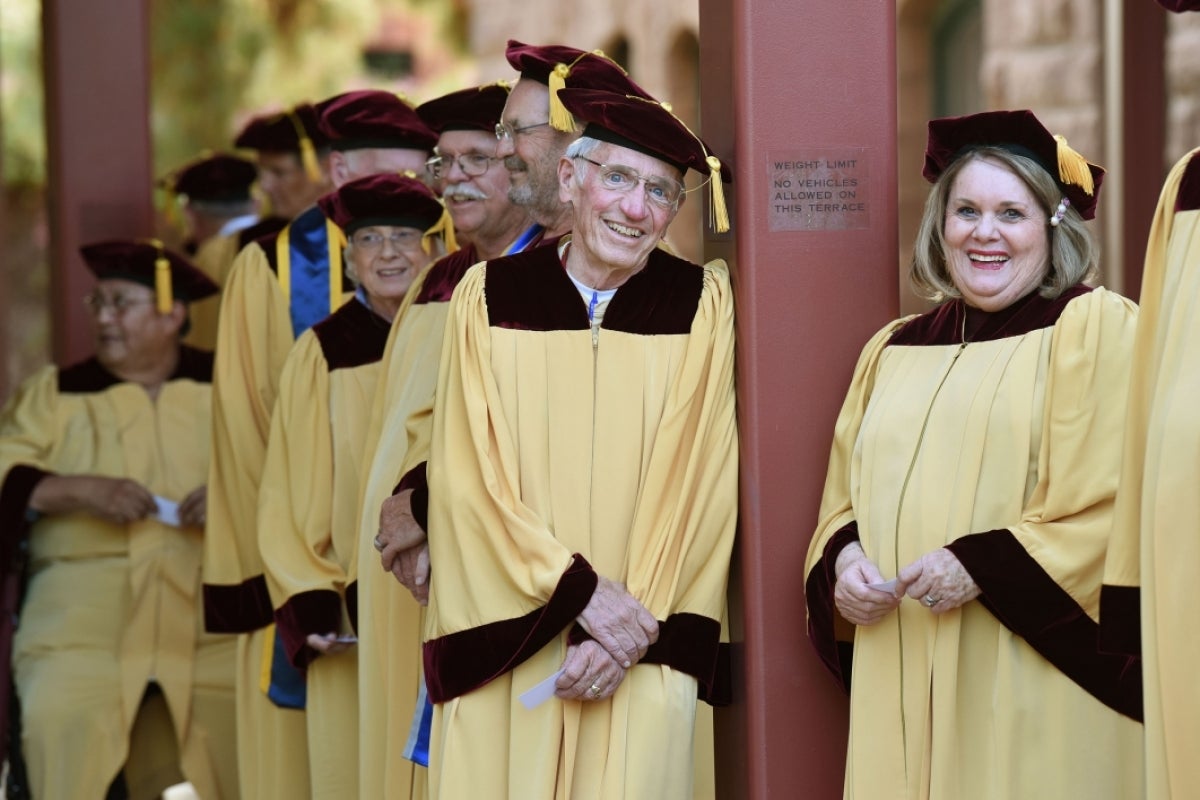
99 157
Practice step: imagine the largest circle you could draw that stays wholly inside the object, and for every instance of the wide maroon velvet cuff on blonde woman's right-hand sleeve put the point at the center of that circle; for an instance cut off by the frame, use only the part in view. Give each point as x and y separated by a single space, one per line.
1030 604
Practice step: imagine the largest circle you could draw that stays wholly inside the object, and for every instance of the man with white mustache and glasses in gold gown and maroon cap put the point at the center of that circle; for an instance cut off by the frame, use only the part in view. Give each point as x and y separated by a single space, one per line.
475 187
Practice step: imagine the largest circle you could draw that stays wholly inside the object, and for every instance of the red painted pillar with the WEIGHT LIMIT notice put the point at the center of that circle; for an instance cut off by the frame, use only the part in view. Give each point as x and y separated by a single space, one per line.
801 99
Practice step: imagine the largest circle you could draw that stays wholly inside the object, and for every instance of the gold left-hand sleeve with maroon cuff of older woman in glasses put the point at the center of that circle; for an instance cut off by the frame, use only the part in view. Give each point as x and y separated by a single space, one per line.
296 506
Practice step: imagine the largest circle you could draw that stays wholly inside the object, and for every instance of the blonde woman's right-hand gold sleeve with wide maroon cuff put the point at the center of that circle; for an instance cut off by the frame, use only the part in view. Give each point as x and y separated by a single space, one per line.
1042 578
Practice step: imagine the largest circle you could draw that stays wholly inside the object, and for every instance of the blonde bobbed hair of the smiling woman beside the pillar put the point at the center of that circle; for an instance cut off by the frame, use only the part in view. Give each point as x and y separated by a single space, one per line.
1075 252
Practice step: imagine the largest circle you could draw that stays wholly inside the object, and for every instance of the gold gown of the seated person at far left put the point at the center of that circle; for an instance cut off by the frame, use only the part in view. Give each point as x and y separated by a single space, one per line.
111 609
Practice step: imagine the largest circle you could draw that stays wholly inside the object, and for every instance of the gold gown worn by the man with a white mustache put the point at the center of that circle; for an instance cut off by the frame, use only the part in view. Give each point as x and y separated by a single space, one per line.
389 618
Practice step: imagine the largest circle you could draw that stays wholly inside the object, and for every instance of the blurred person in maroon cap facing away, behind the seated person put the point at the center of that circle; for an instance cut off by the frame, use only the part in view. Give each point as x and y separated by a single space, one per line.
213 195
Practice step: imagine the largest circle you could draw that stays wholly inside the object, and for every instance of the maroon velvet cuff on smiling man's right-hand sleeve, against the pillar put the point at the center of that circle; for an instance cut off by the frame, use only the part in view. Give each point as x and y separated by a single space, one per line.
691 643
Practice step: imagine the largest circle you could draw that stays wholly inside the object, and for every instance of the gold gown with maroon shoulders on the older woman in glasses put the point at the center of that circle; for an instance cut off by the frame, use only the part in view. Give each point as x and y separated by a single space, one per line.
308 524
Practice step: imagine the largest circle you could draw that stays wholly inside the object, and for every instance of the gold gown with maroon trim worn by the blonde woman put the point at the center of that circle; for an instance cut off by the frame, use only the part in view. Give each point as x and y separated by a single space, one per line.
1006 450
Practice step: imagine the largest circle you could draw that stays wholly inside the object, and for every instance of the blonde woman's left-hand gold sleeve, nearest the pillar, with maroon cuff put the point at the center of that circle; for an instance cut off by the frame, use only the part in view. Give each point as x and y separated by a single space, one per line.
830 633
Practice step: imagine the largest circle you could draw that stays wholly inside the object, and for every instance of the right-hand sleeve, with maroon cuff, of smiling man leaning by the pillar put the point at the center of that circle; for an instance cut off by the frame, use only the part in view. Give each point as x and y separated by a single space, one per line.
686 521
